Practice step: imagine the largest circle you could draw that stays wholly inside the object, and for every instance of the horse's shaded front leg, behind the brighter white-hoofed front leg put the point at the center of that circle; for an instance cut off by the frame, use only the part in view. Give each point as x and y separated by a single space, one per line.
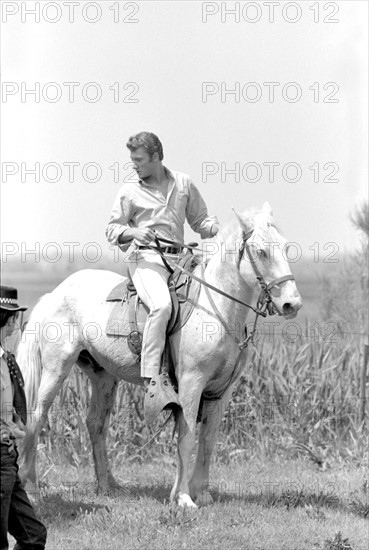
212 413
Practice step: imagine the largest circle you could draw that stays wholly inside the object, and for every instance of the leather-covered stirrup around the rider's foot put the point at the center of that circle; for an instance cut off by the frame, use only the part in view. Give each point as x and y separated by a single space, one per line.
160 395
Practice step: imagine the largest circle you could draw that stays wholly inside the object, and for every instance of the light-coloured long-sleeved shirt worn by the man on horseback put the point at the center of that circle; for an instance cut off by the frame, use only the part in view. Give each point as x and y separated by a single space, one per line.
139 204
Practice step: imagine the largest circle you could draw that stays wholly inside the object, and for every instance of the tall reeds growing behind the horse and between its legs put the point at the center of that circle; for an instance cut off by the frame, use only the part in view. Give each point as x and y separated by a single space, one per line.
292 396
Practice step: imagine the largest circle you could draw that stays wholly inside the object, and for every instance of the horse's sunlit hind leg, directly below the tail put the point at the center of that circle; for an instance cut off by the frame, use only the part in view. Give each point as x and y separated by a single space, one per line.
57 365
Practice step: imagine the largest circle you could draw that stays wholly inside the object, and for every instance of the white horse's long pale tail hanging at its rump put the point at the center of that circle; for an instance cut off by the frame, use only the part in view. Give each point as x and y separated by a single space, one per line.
29 353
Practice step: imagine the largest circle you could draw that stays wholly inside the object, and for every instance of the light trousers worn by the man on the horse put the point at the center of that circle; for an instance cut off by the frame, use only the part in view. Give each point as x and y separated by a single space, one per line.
150 277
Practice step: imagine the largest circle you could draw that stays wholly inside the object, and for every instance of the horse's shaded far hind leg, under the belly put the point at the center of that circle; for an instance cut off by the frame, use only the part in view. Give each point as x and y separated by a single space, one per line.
104 389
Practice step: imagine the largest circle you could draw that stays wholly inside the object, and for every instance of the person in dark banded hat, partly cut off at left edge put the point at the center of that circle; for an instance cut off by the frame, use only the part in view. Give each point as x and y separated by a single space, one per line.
17 514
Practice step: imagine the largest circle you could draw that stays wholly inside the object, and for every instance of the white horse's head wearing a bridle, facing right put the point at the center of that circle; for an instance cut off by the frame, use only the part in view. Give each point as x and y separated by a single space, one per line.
263 260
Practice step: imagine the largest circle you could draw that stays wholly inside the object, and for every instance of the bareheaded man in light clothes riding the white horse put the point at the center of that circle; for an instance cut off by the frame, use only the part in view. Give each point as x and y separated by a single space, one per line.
155 204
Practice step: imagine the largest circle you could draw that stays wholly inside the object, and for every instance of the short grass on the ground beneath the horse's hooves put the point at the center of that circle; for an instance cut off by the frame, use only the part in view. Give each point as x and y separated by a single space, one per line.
266 505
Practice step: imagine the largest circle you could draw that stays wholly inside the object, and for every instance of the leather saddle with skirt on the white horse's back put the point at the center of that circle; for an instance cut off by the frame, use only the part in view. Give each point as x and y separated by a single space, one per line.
128 314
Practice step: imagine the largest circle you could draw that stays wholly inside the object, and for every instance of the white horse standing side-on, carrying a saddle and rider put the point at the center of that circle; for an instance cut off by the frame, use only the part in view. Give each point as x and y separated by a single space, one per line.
207 353
